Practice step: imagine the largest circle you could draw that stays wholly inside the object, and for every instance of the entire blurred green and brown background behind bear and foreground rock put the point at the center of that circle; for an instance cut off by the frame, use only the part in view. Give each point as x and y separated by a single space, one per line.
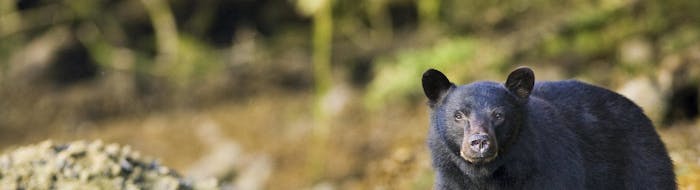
321 94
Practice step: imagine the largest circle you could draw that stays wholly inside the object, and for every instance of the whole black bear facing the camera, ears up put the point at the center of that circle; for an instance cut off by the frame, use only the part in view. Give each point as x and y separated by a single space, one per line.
544 135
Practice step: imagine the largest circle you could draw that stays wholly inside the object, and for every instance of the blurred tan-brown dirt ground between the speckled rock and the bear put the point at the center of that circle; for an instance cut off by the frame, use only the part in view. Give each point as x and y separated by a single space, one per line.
267 142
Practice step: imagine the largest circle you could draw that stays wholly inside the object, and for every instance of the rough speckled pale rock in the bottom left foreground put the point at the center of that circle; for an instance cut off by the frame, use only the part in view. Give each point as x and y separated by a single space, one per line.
87 165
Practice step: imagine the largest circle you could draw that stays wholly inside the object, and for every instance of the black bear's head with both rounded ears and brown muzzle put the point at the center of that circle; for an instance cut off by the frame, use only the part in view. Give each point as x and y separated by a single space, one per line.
479 120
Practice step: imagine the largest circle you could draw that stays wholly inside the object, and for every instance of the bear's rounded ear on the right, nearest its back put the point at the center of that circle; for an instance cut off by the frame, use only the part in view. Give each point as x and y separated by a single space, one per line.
520 82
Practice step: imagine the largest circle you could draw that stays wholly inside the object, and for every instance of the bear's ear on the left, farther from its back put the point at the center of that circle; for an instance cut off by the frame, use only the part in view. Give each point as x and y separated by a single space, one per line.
435 85
